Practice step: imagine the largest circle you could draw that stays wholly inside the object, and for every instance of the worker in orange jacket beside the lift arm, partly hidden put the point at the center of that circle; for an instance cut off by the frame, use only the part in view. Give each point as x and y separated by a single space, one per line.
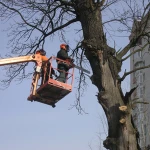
45 65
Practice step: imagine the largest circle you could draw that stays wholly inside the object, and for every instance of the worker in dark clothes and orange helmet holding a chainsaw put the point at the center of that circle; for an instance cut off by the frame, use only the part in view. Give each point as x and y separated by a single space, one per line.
63 67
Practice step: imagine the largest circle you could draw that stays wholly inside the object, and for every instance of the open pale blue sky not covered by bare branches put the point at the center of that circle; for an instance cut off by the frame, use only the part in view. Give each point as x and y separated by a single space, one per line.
25 125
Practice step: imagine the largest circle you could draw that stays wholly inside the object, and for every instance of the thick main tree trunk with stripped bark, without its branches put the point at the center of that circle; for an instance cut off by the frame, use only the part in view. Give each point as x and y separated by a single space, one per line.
105 67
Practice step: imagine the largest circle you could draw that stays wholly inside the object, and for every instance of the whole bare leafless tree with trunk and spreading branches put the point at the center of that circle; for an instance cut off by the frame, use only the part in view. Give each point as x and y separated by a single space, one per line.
46 17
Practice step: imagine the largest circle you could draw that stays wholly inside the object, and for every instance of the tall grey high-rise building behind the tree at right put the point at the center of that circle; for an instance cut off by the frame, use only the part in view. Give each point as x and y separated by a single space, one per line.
141 78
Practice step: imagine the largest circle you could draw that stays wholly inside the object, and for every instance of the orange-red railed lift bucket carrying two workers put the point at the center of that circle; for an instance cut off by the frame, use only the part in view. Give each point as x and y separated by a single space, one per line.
51 90
